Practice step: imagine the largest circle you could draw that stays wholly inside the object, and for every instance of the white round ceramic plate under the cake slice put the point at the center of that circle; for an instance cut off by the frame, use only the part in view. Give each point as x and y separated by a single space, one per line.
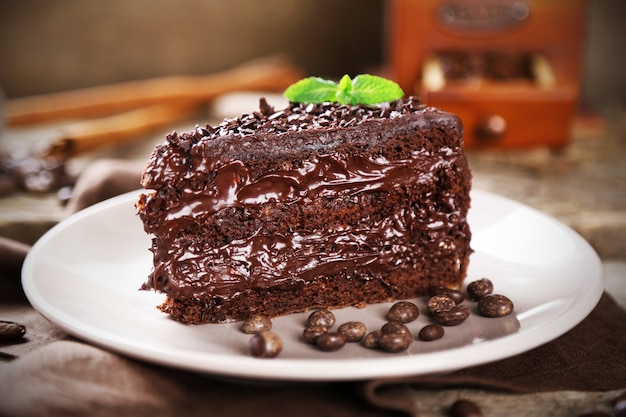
84 275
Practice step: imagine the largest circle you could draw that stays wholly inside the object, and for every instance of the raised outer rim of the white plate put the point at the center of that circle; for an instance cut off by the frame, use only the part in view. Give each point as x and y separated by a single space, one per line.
312 370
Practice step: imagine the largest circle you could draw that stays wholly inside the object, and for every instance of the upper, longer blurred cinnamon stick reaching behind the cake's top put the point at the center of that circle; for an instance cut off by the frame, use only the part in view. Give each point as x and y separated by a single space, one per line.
266 74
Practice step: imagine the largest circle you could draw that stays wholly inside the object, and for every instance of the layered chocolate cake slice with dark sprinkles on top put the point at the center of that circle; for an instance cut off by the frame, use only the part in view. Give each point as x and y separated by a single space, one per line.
316 205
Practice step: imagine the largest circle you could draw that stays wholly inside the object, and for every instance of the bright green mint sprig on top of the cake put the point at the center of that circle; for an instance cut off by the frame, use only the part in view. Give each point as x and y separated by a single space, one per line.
362 89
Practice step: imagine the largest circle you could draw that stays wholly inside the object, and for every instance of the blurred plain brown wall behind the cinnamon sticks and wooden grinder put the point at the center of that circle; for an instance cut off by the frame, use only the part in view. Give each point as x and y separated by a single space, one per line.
48 46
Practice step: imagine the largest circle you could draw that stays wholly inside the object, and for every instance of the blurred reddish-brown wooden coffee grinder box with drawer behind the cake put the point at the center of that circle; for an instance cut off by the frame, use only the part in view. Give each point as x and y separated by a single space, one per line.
511 69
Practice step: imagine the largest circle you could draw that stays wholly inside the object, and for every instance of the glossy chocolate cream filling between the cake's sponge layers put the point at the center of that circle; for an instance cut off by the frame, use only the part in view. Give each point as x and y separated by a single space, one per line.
293 258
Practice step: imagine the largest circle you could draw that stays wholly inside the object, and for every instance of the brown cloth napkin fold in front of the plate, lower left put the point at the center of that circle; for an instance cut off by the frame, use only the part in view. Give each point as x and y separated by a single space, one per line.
70 378
